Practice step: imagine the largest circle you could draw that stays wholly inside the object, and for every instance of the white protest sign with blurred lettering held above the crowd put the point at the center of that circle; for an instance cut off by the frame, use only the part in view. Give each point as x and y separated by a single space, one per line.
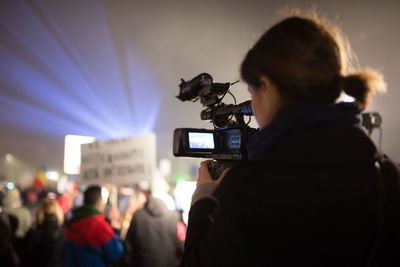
119 162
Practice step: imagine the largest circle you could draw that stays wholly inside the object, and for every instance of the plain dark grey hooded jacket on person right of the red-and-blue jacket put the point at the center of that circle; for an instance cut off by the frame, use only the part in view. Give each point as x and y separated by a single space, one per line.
151 240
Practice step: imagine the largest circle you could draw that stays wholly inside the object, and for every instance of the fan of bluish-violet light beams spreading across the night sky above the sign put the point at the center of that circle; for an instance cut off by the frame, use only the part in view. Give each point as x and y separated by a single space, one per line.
64 77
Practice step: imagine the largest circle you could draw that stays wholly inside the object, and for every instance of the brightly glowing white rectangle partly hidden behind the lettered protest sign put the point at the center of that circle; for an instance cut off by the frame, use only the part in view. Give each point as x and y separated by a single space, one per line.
72 152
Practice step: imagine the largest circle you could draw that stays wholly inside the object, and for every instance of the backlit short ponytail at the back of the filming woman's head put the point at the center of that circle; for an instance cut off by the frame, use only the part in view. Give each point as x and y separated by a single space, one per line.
362 85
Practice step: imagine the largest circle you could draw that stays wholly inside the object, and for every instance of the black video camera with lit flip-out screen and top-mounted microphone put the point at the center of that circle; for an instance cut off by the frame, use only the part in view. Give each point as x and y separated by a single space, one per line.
227 142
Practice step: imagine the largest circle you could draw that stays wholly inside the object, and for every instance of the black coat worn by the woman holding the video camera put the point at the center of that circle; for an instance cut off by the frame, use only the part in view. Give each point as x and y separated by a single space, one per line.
310 201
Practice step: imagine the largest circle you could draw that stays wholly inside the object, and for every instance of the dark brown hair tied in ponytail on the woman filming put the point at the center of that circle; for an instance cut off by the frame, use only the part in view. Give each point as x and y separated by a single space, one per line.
306 60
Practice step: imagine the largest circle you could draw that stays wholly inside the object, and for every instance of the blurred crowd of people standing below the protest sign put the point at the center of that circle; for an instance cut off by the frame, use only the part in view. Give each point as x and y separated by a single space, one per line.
89 234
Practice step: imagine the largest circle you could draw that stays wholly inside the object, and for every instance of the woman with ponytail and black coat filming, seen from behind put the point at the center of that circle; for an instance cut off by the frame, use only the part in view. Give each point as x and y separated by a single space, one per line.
307 196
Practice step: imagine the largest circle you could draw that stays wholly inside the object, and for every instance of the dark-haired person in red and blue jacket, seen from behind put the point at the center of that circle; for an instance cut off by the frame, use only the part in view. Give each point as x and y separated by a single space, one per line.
89 239
